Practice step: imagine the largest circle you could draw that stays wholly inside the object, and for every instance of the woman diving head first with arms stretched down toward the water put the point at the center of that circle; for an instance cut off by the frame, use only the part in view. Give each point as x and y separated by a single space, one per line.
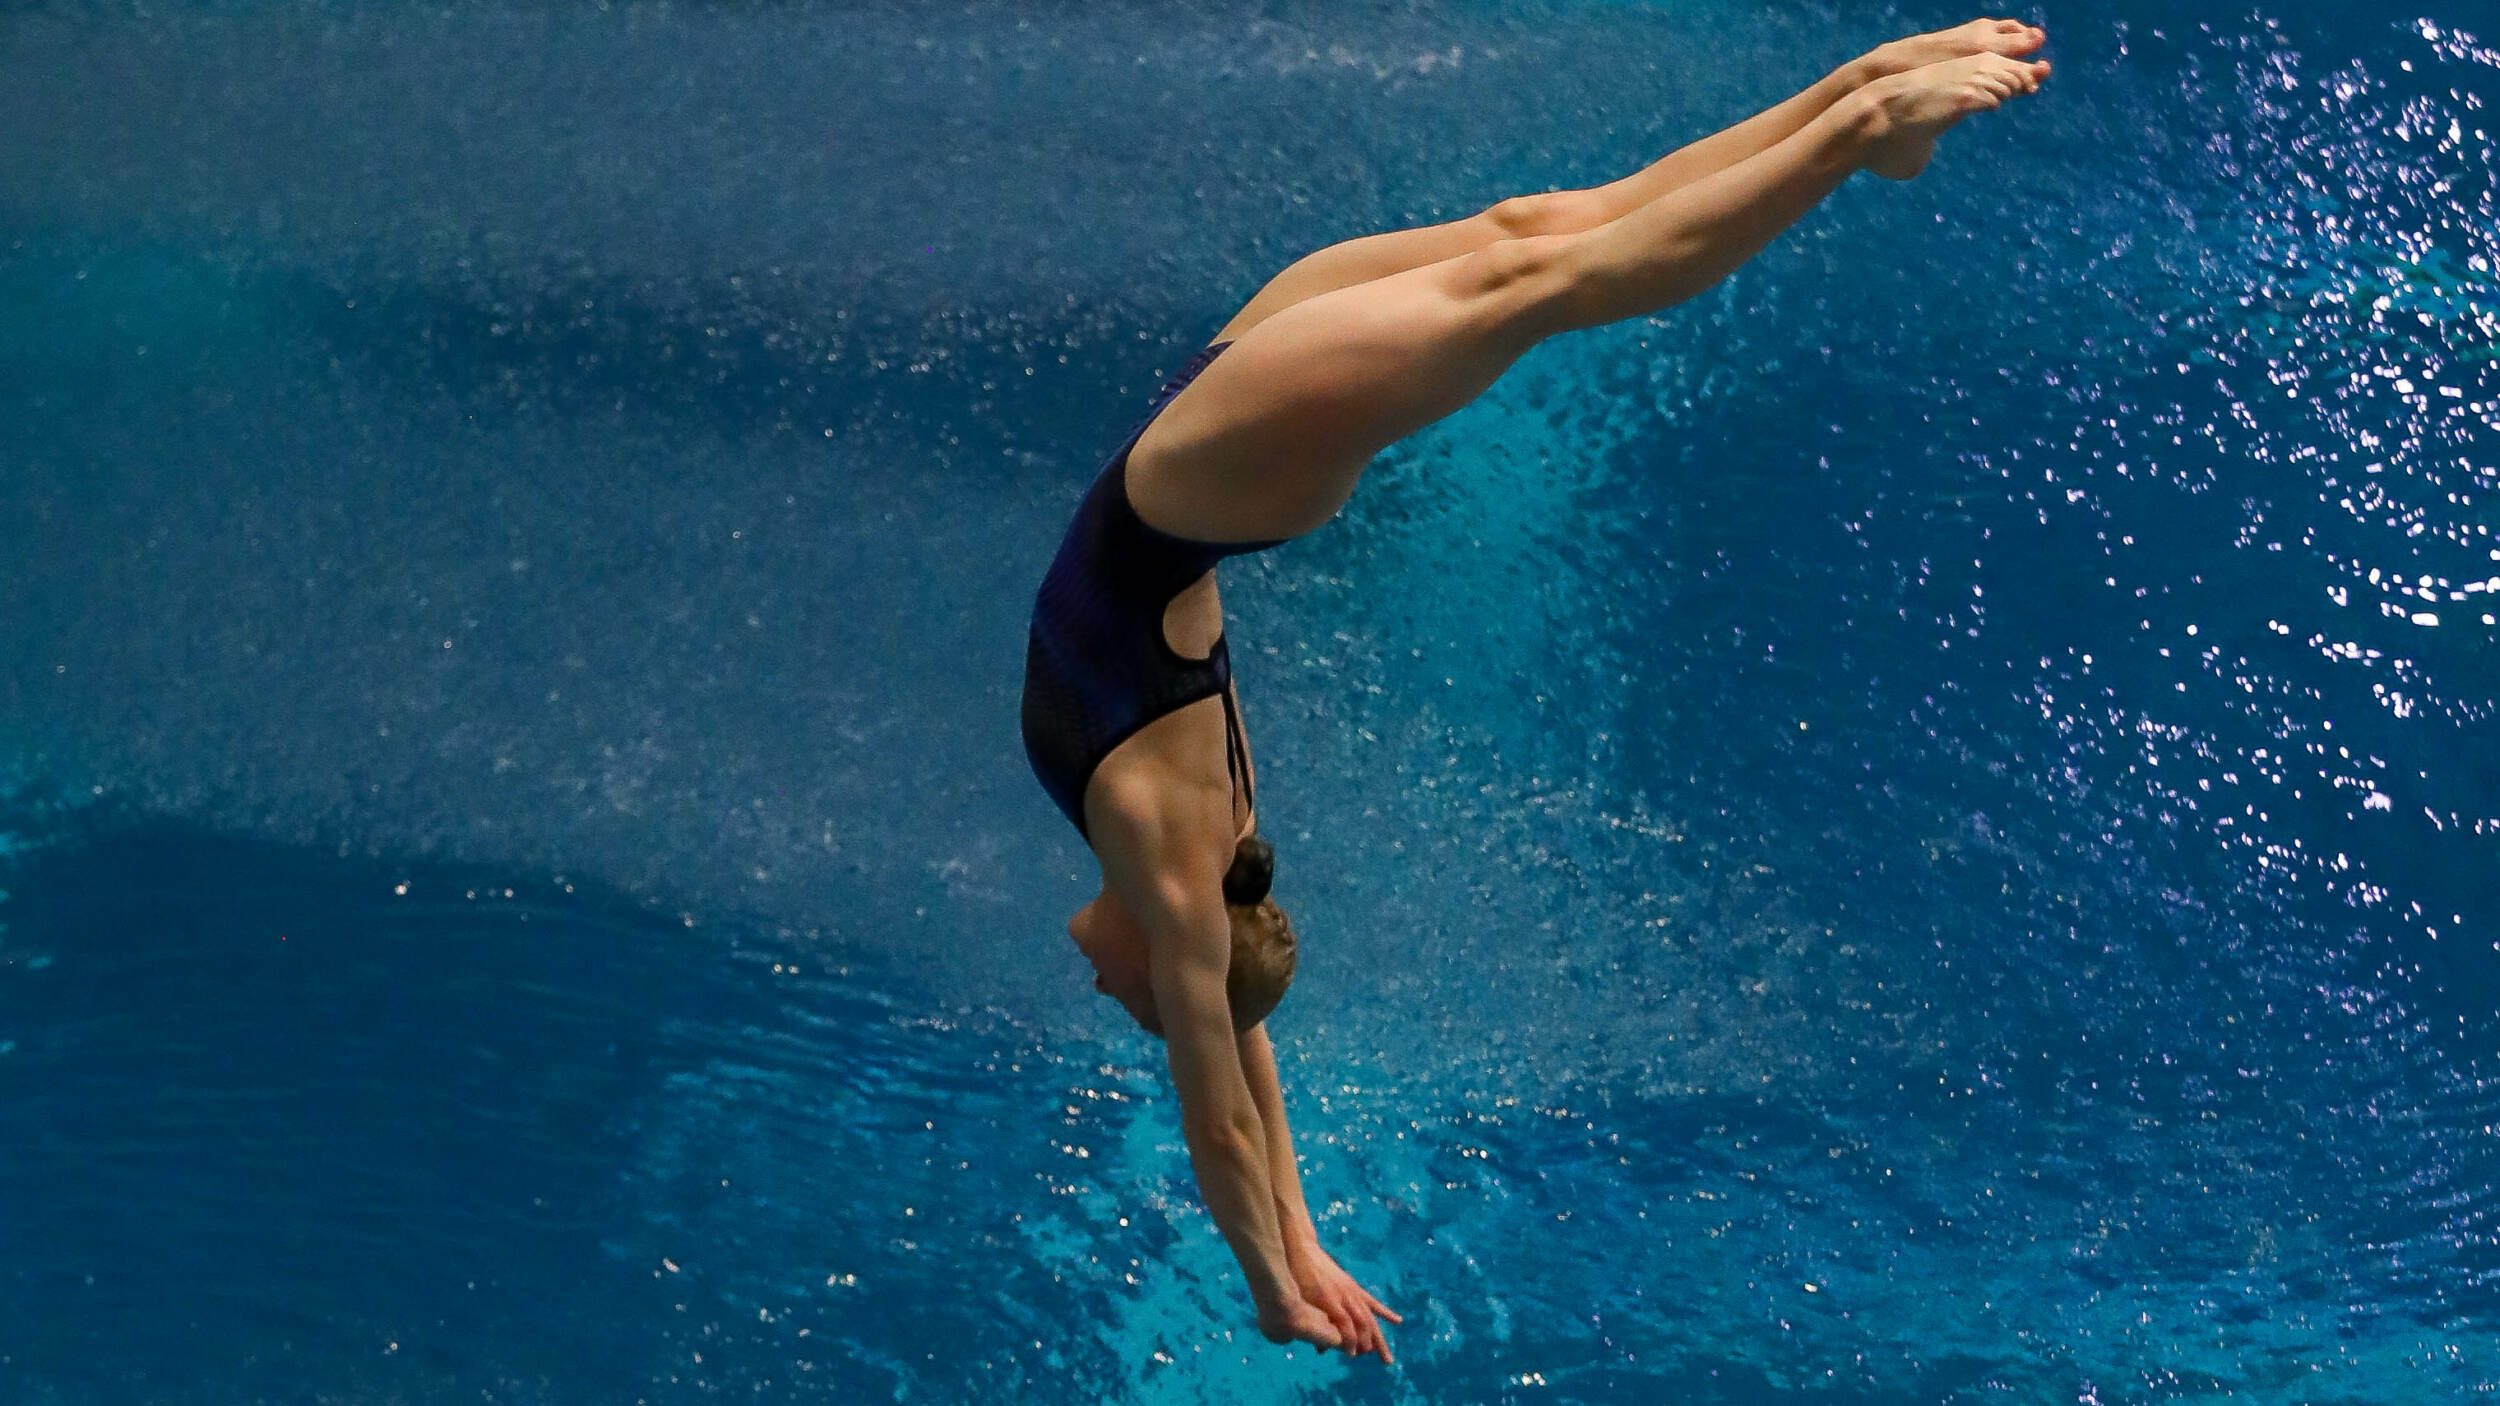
1129 712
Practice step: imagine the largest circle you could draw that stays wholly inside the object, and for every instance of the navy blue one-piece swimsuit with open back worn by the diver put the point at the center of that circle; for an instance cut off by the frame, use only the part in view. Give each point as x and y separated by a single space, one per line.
1096 662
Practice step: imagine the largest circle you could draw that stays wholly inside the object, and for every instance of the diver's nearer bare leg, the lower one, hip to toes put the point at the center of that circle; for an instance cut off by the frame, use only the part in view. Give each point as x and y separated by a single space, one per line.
1271 439
